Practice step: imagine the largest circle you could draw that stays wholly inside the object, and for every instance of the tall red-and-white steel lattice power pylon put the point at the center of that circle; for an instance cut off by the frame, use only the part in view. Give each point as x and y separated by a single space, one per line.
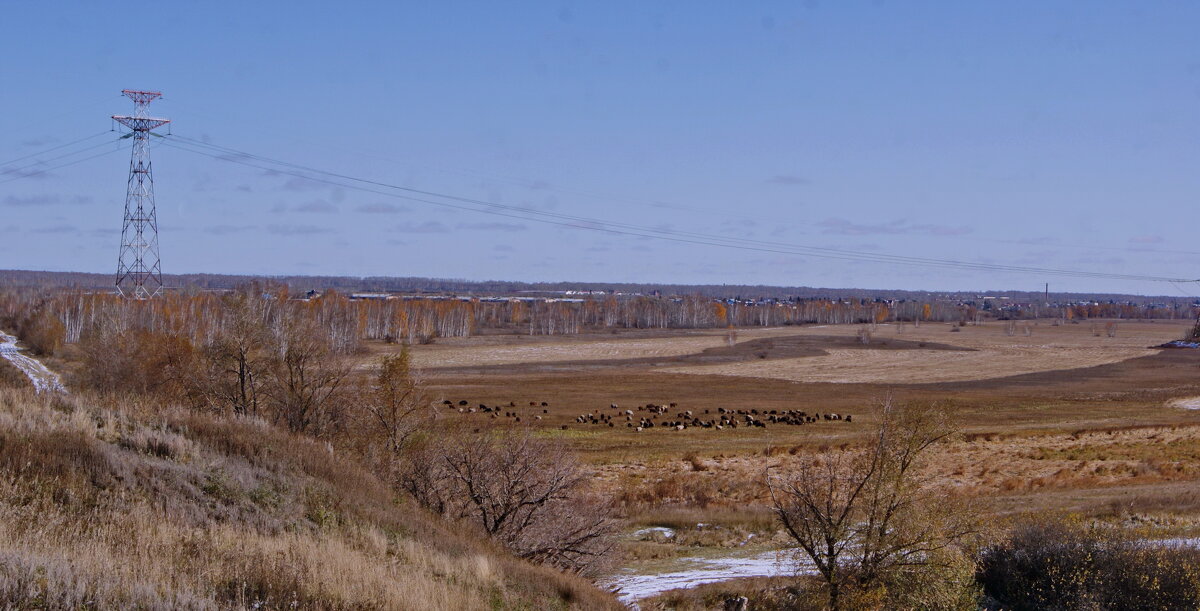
139 269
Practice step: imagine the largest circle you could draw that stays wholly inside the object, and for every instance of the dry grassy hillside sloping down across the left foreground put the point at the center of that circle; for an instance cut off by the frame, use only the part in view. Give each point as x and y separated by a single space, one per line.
139 507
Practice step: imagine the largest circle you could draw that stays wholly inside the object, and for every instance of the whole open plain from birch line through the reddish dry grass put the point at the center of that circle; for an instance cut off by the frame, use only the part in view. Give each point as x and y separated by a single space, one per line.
1048 411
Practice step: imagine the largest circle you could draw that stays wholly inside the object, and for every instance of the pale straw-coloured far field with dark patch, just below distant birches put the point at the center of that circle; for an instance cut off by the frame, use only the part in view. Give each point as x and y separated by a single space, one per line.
929 352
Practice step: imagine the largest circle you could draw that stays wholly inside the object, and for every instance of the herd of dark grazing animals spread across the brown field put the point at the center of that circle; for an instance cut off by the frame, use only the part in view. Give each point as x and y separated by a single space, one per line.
664 416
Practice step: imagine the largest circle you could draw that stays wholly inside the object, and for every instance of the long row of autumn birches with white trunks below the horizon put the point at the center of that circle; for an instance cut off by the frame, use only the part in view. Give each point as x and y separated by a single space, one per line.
49 320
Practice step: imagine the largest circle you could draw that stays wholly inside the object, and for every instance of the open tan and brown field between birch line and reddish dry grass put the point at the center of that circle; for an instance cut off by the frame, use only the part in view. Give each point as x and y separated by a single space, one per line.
1065 381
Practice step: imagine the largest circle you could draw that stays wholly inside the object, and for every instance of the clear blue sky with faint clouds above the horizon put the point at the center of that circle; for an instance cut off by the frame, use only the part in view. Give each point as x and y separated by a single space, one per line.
1059 135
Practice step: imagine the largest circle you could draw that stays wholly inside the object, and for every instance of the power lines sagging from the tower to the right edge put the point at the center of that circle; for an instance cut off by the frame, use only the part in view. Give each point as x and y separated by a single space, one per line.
527 214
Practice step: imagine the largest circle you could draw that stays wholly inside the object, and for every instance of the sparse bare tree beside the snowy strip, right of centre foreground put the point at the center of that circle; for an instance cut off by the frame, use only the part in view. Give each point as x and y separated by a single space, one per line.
866 518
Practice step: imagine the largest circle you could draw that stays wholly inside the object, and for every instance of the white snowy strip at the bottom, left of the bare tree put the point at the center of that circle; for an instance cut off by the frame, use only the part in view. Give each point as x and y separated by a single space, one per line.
633 588
